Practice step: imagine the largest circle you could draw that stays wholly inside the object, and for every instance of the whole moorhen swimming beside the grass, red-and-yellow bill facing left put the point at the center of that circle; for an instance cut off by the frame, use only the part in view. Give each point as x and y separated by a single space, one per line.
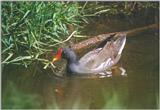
97 60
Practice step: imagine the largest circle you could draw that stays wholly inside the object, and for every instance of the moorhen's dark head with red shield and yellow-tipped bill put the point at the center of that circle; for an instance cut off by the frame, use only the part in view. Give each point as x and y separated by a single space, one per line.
66 53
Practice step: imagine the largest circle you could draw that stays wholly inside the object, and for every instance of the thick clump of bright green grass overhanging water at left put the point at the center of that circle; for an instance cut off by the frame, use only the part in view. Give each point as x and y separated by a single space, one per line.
30 29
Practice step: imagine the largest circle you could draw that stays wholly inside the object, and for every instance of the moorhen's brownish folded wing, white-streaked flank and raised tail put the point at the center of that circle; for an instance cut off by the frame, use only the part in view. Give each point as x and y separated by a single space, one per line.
105 57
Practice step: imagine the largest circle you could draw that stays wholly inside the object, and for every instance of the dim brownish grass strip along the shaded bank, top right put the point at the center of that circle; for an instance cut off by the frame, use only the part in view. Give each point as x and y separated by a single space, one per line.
117 8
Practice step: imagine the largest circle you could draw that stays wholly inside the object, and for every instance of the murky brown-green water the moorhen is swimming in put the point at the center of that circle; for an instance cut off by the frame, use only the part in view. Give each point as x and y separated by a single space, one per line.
140 89
